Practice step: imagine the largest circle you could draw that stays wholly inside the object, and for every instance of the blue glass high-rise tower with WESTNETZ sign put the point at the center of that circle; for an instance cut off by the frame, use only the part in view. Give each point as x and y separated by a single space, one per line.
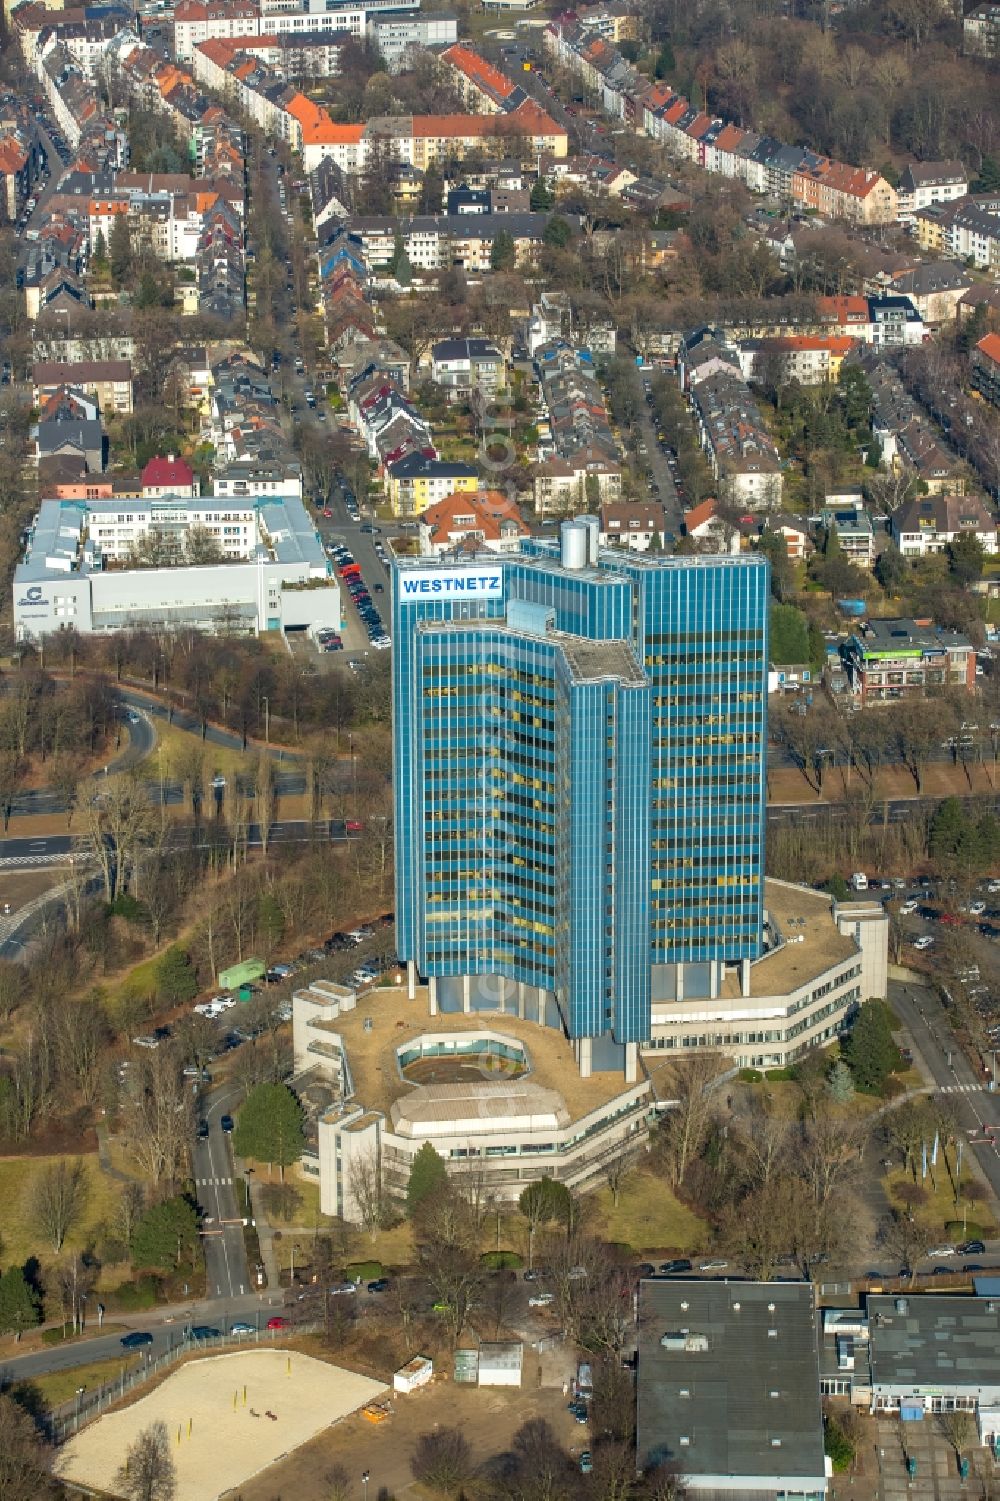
580 748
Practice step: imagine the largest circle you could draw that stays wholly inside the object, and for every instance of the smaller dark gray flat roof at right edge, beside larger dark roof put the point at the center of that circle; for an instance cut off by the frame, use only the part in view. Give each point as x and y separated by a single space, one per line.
935 1341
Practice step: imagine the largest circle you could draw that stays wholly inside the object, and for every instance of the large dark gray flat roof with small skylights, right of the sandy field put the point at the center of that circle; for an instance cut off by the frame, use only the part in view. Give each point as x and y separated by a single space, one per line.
739 1380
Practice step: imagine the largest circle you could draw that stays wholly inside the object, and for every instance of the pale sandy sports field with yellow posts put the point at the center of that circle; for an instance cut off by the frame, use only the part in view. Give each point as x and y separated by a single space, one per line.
218 1436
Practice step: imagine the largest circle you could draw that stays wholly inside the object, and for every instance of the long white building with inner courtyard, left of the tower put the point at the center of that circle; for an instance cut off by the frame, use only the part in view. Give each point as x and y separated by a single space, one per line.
82 567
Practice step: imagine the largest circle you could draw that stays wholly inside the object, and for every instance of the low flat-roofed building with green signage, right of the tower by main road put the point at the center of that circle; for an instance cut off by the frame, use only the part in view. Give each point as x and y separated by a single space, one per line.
893 660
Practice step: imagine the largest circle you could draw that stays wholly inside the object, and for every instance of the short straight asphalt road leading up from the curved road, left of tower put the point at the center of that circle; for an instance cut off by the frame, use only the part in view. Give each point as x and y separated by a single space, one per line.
227 1271
